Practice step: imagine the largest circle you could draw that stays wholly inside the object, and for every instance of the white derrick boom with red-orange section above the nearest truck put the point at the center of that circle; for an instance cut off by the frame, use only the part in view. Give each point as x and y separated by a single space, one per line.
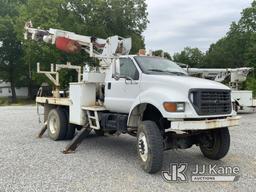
72 43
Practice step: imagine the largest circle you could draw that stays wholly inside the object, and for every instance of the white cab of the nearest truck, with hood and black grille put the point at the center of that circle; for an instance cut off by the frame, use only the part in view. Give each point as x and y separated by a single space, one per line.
136 80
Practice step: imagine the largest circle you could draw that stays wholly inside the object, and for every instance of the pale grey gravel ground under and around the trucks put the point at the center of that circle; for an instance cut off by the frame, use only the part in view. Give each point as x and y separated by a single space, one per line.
105 163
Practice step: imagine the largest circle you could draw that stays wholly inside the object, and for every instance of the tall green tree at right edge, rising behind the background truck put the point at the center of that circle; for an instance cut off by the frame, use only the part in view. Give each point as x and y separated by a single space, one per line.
238 47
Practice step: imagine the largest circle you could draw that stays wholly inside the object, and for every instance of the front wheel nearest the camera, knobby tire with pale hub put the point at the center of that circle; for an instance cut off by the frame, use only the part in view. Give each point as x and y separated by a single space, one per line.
150 147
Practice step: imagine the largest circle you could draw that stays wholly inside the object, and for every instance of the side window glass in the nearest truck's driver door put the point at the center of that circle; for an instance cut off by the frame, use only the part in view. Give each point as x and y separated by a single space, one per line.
127 68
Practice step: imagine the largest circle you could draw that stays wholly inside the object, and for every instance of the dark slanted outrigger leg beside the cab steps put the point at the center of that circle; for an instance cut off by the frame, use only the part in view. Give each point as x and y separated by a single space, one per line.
77 140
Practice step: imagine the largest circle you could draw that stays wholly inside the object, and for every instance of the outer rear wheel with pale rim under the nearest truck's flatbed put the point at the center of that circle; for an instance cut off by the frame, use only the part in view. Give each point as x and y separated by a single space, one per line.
57 124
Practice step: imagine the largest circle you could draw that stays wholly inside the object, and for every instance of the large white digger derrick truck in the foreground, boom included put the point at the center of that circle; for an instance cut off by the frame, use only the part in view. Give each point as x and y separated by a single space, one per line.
147 97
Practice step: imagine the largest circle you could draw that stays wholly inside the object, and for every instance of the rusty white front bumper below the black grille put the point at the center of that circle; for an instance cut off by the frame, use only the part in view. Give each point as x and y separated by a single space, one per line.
204 124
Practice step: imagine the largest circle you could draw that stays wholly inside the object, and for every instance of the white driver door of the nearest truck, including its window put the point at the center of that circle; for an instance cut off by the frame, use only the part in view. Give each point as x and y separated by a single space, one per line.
123 87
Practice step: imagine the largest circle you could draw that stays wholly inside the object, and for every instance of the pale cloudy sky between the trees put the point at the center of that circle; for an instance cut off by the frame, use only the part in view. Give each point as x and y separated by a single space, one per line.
175 24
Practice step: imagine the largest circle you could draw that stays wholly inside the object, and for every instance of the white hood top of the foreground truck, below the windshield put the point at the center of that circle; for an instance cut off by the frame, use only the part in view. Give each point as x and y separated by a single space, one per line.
184 82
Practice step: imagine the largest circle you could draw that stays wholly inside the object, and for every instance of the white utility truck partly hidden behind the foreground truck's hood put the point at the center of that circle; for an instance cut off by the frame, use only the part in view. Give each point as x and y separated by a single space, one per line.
242 99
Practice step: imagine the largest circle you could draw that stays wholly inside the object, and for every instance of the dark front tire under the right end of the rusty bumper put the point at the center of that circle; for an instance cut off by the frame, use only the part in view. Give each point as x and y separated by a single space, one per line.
216 144
